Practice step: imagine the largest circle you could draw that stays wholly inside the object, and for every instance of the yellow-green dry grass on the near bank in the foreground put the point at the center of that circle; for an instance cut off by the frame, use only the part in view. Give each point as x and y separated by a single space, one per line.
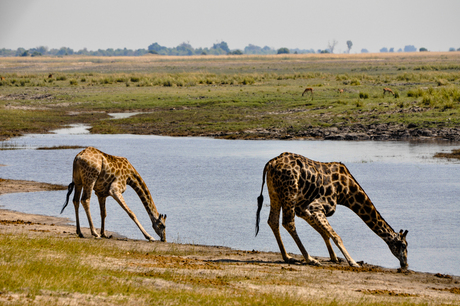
97 271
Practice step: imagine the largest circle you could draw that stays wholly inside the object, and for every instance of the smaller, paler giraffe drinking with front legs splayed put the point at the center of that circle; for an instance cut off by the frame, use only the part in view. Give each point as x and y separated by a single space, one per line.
108 175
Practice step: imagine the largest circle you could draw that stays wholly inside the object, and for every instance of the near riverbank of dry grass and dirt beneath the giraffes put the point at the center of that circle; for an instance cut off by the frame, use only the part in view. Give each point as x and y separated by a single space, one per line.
126 271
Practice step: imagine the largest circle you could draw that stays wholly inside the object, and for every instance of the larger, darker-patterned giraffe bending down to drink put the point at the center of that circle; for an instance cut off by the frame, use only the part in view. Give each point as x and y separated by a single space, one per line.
311 190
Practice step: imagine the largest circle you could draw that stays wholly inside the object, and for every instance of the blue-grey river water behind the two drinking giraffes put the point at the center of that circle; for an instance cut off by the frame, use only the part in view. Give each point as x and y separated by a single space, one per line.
208 189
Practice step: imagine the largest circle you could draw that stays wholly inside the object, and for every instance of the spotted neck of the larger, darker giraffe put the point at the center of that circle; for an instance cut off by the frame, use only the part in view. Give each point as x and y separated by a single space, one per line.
360 203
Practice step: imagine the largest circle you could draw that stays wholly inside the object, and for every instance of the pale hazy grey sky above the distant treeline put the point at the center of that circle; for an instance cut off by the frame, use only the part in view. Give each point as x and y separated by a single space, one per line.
304 24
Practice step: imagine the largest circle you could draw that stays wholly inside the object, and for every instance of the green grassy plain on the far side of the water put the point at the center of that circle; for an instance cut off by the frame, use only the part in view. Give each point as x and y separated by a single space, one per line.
229 96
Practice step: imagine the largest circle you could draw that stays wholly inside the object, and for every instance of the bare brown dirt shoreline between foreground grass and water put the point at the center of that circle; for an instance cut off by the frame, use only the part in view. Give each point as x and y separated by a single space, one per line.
348 284
